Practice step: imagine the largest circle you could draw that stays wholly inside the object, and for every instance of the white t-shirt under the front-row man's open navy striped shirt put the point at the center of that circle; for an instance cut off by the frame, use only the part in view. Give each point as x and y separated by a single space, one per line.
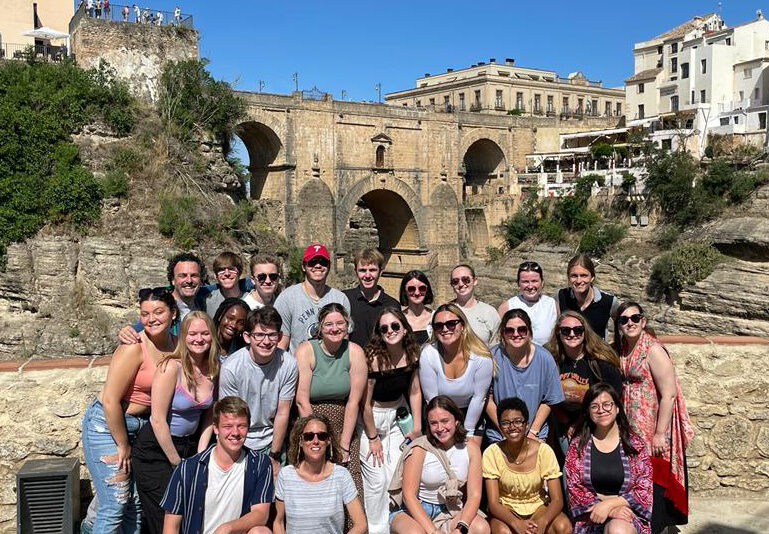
224 494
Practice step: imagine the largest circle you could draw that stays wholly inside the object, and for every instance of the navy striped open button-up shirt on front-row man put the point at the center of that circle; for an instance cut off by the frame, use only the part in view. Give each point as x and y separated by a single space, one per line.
186 491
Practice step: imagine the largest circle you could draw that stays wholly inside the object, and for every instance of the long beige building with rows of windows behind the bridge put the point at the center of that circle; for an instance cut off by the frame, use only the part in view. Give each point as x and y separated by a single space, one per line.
501 88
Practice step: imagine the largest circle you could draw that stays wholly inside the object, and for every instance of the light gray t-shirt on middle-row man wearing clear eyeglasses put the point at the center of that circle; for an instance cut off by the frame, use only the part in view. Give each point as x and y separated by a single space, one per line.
262 387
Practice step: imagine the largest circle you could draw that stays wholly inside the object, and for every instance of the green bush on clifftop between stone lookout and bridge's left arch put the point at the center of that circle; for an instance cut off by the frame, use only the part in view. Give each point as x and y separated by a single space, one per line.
191 98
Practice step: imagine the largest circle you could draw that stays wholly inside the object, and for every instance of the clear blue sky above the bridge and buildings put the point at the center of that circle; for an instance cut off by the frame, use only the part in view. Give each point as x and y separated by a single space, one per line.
352 46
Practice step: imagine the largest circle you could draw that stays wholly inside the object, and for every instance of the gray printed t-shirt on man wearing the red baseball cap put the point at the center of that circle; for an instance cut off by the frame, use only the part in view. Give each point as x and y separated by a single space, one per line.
299 312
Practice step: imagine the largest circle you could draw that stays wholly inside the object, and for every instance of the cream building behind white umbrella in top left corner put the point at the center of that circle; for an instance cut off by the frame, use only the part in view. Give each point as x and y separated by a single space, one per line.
19 16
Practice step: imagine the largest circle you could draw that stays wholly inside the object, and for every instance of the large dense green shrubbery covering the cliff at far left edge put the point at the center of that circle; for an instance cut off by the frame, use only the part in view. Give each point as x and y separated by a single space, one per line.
41 177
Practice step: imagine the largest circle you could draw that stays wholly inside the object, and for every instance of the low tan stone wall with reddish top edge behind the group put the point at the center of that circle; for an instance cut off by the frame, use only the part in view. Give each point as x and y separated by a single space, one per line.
725 382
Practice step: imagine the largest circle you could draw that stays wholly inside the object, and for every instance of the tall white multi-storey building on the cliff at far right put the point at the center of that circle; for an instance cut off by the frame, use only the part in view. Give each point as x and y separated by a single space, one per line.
702 78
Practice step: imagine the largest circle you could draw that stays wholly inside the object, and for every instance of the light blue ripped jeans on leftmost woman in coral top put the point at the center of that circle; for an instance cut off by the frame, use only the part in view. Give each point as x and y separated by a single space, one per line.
118 509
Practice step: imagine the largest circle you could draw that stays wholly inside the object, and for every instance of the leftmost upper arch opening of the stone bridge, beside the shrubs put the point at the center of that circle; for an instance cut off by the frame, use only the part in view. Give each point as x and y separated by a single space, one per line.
265 154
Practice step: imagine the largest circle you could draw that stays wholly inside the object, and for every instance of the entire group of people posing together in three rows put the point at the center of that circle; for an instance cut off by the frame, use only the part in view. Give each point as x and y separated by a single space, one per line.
241 406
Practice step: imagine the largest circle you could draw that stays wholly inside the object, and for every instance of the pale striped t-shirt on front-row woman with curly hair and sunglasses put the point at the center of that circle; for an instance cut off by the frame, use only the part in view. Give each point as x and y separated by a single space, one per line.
315 507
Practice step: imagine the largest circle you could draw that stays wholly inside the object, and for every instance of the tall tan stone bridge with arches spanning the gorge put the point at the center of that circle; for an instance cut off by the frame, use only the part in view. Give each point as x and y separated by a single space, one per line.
420 185
